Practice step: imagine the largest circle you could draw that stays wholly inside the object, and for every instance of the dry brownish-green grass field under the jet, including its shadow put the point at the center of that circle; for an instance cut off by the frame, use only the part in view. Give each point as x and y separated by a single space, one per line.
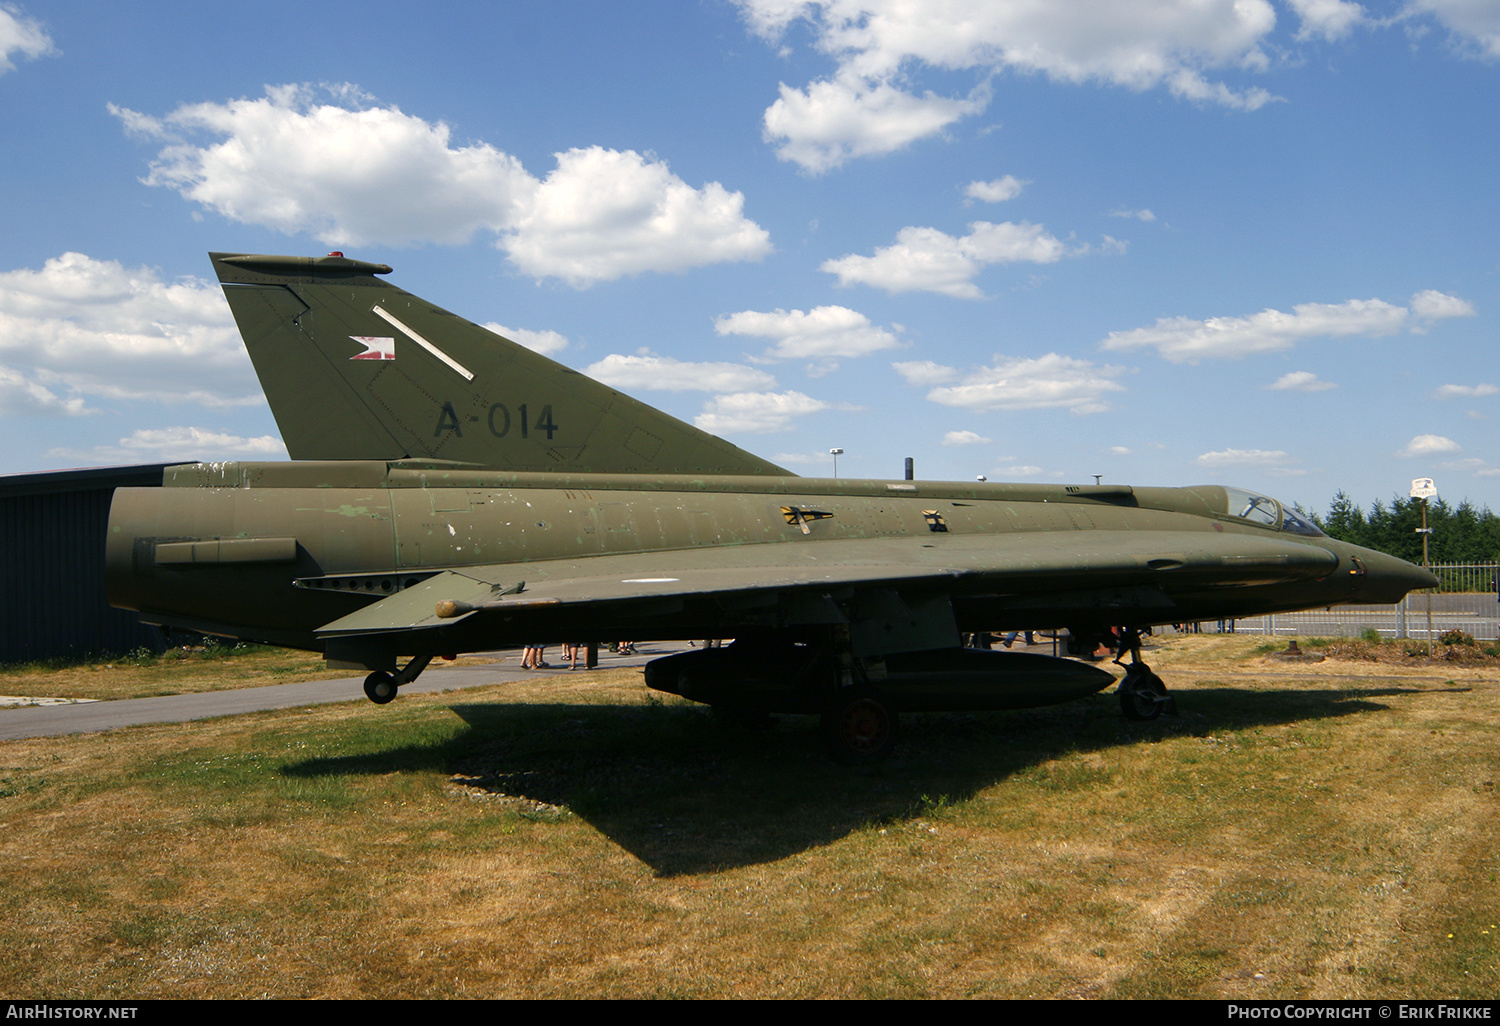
1298 832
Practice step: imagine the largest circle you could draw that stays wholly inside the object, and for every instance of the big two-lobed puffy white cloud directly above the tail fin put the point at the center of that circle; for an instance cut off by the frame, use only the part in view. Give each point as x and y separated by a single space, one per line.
353 175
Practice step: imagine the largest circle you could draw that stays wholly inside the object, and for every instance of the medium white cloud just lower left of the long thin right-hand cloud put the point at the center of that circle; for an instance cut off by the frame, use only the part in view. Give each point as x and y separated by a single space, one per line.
1051 382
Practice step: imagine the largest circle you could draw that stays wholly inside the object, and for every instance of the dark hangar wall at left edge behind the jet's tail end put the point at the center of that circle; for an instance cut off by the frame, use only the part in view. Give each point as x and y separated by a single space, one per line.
52 565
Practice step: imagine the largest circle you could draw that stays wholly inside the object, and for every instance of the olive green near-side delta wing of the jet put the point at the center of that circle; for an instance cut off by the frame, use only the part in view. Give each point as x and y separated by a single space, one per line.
788 584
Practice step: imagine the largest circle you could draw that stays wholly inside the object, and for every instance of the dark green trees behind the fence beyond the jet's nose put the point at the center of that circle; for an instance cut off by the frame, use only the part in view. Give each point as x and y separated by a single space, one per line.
1460 533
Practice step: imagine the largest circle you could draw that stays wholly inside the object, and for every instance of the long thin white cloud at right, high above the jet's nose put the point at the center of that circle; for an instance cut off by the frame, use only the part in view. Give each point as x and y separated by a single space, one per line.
1184 340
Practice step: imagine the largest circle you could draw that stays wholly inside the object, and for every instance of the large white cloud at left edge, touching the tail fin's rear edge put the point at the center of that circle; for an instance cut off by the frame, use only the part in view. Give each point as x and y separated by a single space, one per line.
101 329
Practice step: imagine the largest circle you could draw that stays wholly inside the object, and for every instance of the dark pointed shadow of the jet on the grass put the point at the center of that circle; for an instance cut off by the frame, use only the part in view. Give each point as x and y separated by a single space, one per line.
688 794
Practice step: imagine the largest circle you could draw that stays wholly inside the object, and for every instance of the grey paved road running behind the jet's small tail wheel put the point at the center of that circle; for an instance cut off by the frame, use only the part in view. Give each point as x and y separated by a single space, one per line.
50 721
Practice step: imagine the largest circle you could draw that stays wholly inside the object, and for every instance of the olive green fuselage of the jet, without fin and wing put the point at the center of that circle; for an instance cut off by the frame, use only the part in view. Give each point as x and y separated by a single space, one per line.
277 551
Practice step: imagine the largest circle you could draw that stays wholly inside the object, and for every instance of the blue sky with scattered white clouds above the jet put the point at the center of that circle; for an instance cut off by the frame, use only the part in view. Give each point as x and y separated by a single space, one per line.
1160 242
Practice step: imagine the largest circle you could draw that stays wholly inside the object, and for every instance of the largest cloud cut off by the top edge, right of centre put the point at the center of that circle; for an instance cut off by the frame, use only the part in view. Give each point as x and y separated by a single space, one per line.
869 106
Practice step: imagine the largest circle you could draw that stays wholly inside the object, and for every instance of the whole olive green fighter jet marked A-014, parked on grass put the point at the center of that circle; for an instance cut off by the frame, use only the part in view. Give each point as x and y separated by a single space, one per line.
452 491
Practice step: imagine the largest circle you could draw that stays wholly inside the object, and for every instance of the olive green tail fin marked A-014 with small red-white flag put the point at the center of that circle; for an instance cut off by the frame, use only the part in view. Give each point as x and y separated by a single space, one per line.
356 368
